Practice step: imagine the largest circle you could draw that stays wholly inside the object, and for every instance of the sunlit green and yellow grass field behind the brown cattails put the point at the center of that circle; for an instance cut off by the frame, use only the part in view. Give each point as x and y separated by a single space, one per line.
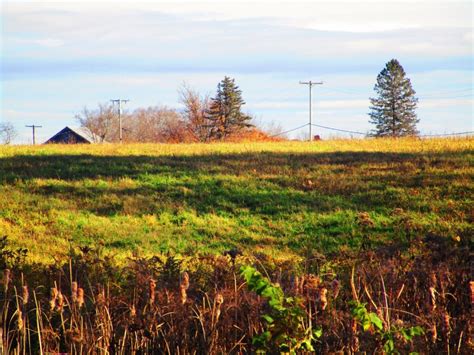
281 199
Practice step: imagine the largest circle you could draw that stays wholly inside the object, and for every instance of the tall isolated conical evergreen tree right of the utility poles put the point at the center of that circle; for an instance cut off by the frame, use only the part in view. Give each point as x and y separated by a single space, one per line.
393 111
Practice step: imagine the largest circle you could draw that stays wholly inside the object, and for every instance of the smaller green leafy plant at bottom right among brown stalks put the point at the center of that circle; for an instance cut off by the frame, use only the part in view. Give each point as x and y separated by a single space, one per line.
371 322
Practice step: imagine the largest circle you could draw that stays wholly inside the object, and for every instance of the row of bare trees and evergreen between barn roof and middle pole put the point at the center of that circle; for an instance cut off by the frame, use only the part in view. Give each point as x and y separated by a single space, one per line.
202 119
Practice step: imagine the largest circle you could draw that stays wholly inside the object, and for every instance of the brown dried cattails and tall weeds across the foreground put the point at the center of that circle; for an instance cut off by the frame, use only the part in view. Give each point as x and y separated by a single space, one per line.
89 305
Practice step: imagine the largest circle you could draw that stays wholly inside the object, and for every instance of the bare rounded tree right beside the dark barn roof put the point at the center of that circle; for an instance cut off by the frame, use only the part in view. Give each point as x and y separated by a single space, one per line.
100 121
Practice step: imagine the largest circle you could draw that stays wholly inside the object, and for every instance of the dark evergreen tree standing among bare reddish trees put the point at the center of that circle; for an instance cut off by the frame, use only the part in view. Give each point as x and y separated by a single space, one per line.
224 114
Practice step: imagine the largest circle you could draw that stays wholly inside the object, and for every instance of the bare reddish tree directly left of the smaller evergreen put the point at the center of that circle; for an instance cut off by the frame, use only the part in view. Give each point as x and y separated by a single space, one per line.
194 113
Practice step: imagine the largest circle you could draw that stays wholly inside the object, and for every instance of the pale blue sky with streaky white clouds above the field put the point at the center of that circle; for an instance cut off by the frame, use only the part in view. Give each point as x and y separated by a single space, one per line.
62 56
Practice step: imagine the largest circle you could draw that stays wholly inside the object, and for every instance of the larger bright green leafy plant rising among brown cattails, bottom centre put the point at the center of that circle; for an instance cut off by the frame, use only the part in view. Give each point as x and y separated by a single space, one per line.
287 327
